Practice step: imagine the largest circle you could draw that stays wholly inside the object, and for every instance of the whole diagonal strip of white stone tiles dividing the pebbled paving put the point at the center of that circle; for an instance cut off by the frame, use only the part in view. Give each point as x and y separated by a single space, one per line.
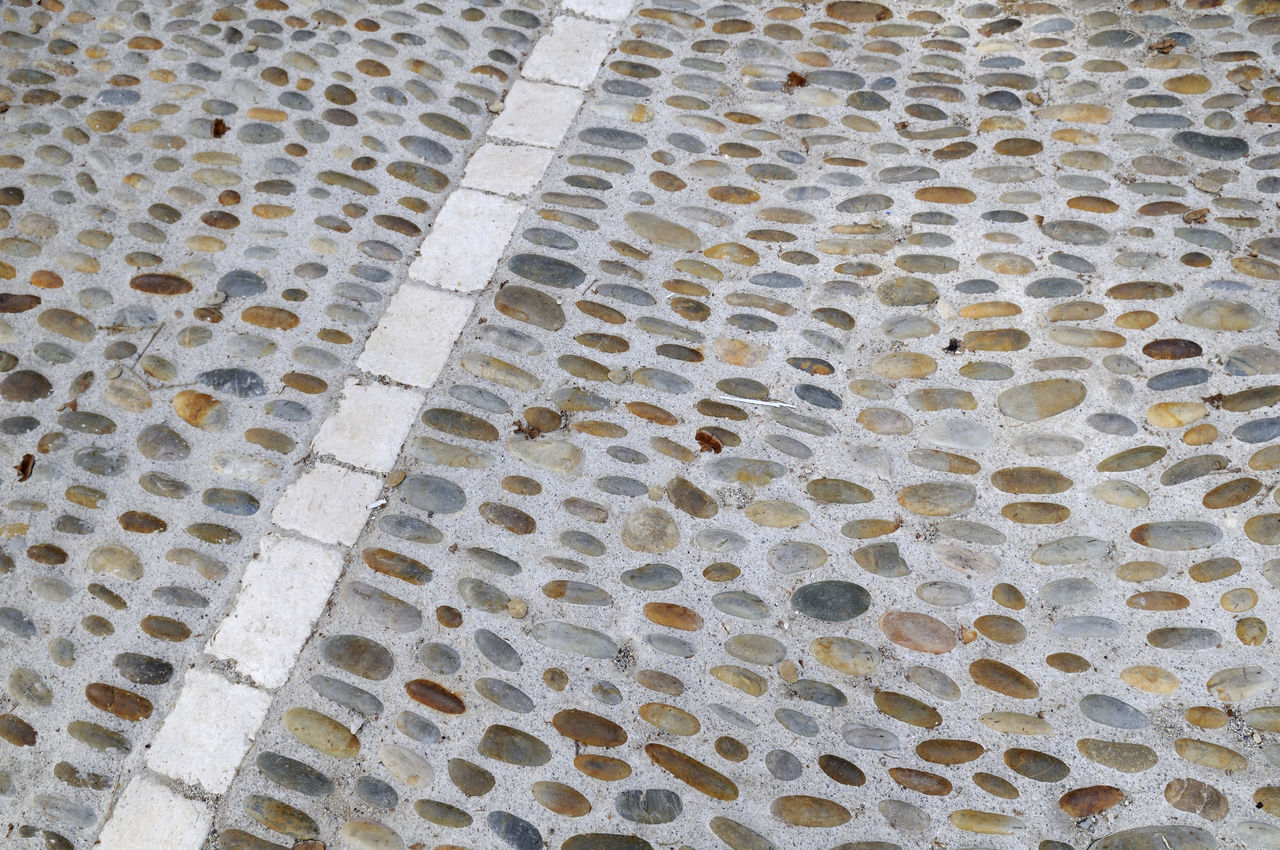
212 726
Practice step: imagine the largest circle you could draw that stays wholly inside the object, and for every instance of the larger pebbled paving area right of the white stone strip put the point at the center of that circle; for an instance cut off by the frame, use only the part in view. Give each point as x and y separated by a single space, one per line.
868 442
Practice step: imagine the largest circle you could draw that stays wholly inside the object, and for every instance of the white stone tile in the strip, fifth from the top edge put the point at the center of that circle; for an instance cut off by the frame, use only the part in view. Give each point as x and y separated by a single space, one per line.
467 241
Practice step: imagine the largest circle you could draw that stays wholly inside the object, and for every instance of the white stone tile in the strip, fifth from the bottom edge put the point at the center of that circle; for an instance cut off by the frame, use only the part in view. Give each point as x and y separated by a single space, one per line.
369 427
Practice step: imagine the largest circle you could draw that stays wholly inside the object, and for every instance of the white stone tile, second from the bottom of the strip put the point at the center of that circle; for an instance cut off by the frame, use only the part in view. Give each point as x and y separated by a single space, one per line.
211 729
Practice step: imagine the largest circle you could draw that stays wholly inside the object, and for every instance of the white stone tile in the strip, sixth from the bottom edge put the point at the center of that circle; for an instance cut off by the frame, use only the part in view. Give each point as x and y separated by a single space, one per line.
417 335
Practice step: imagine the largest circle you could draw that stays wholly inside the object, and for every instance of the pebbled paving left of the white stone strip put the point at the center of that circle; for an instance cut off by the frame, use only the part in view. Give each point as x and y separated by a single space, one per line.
204 208
